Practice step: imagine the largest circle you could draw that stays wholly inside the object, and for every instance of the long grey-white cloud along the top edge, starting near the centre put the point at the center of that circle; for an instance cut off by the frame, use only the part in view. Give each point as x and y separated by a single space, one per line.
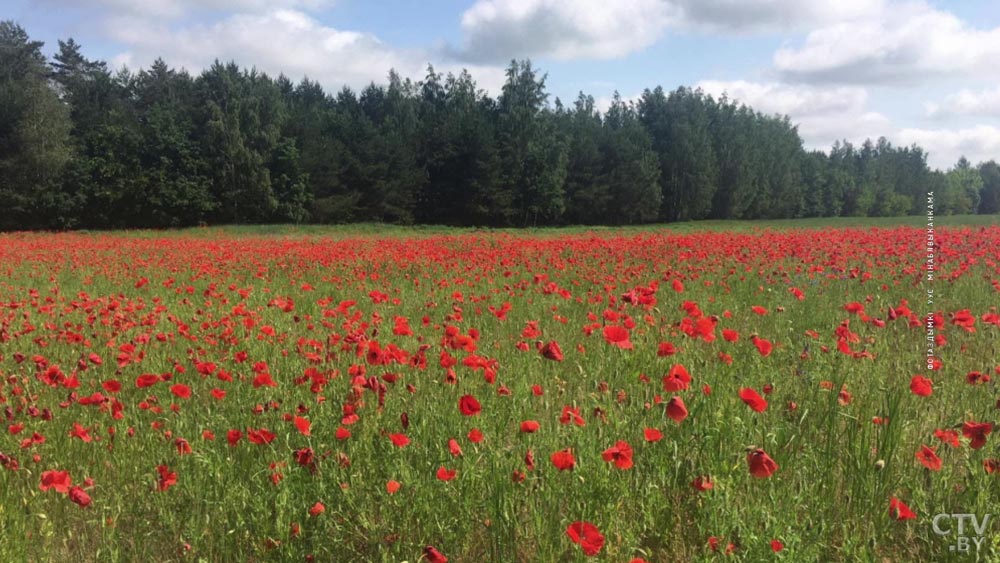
499 30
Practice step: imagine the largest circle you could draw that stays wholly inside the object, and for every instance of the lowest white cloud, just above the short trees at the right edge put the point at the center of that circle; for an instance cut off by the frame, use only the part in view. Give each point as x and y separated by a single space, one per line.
945 146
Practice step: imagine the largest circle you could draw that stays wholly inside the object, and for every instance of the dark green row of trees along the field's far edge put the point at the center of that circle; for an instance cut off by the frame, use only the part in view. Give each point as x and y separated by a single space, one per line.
82 146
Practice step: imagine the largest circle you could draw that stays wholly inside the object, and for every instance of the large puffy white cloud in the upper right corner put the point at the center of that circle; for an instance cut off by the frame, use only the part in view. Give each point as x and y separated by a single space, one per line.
905 43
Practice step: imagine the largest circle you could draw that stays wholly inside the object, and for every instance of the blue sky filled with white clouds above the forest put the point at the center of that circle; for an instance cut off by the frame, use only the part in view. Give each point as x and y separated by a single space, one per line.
914 71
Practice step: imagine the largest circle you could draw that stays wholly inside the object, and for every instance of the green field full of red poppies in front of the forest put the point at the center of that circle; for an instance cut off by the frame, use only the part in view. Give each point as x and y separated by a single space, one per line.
644 395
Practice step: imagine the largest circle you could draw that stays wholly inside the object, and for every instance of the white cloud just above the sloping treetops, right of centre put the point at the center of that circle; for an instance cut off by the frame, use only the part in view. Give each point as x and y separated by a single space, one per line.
823 115
